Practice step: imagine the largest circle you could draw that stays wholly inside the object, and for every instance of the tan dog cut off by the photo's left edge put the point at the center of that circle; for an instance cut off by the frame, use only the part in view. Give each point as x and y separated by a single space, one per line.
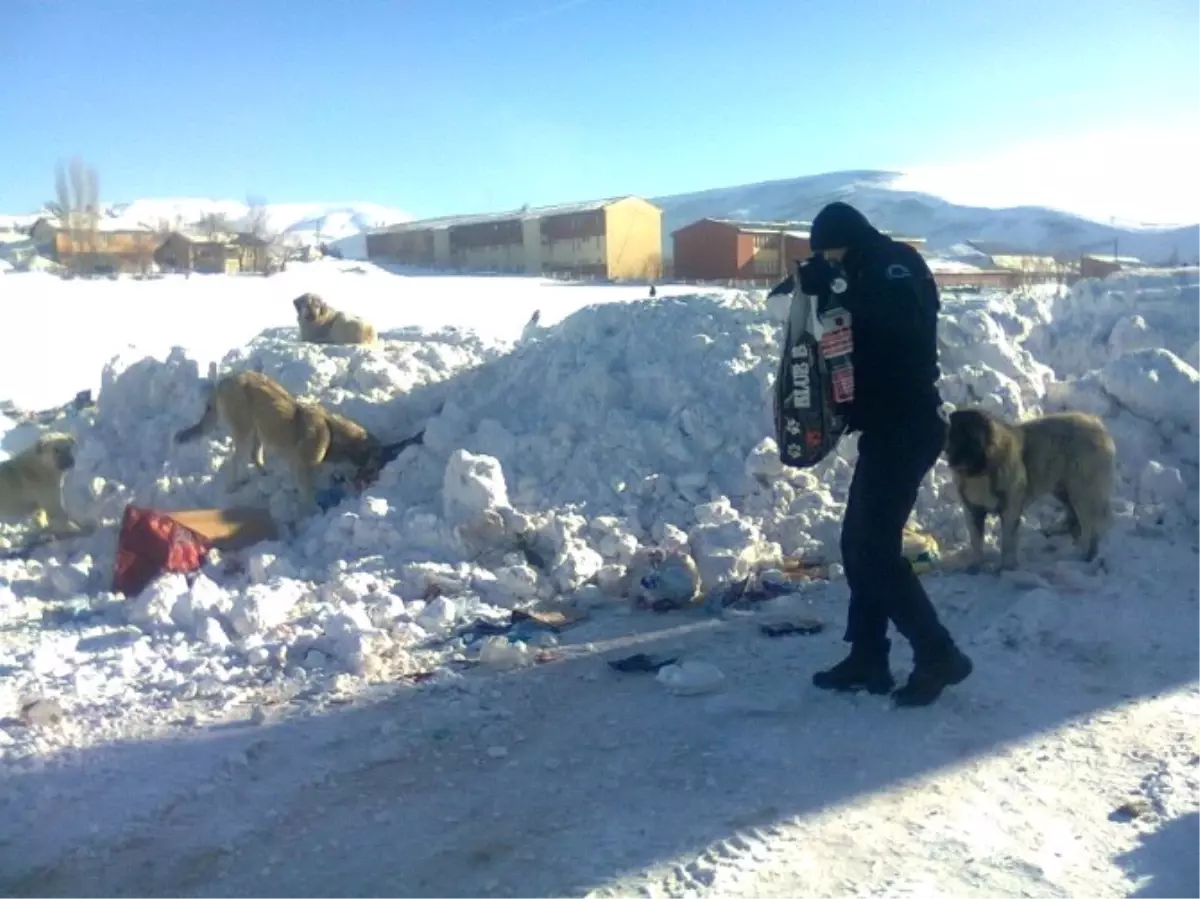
32 484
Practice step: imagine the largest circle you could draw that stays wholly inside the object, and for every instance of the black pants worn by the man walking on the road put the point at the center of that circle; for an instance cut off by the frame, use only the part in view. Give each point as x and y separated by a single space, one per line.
892 463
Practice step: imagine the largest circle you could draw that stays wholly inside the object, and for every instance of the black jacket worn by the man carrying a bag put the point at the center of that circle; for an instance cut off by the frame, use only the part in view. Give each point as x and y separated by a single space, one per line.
893 302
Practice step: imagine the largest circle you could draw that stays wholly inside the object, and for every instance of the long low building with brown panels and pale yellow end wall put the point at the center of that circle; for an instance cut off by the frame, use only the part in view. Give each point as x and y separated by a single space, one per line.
620 238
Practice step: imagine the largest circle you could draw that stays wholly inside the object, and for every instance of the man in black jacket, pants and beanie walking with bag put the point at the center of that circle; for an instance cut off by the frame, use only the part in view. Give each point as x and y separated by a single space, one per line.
893 303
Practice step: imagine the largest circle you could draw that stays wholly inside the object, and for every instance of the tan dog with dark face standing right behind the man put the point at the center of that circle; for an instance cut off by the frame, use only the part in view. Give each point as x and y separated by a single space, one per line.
1004 469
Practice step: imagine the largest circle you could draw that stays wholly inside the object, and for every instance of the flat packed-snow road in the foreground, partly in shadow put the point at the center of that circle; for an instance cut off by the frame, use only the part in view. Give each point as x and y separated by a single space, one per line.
569 778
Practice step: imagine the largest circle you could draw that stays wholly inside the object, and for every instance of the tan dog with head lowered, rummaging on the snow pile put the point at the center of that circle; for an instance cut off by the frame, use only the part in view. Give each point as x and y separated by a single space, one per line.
260 413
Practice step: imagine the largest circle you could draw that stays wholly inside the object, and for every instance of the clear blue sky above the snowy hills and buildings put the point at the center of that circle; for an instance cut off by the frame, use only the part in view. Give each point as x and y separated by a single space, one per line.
447 106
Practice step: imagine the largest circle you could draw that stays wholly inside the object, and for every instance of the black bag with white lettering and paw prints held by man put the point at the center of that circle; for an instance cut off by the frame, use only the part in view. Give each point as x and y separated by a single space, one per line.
815 383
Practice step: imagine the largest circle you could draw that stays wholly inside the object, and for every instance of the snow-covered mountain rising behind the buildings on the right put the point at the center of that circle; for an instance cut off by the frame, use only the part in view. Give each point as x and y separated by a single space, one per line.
883 199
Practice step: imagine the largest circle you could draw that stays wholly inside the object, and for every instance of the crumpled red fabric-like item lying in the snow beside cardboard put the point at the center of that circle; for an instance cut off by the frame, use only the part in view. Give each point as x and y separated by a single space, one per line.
152 544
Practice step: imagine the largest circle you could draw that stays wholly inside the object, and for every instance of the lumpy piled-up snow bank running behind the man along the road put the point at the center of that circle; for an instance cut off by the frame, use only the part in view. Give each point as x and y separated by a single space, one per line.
549 471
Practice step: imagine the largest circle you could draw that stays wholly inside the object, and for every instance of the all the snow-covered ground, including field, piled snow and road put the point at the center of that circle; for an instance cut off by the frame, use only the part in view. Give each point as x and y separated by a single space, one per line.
311 718
